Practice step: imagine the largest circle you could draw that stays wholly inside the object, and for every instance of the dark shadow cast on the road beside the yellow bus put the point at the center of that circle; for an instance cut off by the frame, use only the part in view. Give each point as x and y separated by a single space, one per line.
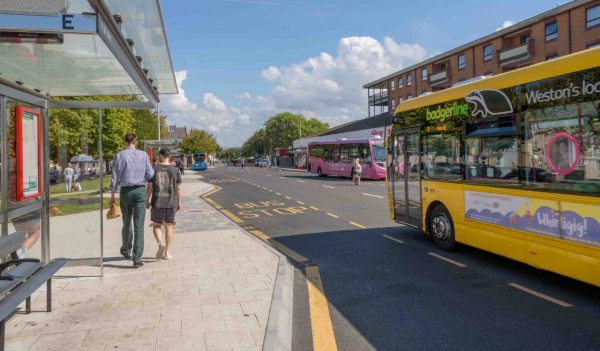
389 296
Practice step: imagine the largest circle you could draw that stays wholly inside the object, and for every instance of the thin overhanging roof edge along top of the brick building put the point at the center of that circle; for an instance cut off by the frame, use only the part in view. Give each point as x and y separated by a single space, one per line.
514 28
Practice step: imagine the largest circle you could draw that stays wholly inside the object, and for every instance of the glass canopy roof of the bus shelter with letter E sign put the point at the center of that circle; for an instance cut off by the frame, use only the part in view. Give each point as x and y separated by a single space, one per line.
85 48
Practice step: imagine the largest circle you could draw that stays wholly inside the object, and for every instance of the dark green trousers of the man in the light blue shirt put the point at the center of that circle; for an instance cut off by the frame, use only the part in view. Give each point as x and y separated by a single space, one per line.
133 203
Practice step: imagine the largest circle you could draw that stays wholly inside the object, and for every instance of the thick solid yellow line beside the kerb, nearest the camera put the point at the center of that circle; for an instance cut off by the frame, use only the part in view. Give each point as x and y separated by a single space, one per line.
320 319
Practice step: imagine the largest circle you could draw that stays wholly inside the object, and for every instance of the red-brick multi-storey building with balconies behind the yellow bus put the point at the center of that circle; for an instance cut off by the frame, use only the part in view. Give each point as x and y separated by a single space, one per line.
565 29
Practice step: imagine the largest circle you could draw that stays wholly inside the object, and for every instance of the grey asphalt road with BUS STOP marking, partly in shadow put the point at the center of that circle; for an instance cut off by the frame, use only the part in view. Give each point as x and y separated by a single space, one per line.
388 287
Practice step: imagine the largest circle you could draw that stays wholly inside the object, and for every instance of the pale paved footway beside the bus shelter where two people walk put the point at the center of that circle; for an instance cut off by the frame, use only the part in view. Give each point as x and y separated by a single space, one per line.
223 290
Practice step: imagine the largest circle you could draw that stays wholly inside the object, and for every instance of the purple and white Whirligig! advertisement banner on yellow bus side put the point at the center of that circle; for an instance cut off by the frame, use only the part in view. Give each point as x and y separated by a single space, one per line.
564 220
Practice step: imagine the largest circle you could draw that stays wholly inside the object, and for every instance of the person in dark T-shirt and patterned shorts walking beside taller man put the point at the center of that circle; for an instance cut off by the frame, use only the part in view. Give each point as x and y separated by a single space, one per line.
164 200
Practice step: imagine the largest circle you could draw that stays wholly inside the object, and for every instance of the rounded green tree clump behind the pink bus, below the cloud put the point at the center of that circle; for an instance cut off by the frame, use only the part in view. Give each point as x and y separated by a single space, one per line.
280 131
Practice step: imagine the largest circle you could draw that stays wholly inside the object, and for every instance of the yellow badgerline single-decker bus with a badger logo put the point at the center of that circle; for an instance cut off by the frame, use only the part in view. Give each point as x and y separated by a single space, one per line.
508 164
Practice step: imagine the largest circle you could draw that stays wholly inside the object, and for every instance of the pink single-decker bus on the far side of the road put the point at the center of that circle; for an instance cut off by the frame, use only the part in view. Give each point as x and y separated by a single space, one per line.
336 157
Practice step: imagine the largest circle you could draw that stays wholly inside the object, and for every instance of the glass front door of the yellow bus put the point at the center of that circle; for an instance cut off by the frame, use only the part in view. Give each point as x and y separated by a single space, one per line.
405 183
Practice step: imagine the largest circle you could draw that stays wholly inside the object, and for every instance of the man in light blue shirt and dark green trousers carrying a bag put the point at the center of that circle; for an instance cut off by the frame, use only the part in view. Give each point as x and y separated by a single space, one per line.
131 170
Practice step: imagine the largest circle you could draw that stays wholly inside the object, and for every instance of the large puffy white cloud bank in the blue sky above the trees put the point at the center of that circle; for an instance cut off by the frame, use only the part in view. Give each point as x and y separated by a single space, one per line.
328 86
